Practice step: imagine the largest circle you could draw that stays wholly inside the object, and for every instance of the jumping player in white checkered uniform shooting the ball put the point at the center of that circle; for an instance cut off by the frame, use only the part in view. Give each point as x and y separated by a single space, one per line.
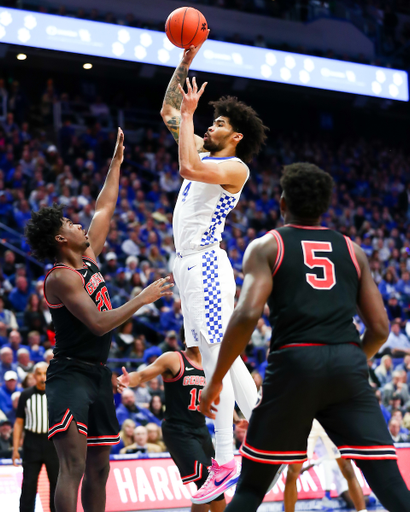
214 172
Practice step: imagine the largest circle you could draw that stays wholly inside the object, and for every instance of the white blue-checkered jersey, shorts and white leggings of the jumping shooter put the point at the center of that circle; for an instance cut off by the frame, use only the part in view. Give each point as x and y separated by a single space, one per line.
206 283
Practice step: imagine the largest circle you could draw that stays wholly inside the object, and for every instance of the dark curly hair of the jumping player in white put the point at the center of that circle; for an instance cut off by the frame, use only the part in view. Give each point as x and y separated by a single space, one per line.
245 120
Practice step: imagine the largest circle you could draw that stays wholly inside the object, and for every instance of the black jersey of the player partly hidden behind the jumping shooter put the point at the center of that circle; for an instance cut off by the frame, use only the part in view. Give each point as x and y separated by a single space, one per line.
183 393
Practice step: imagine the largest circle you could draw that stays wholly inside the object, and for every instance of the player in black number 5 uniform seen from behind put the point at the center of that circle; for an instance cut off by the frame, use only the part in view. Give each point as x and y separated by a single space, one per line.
314 280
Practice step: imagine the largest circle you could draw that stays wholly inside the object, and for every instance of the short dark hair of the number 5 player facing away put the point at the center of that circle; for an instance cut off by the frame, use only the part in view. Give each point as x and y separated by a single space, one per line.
307 190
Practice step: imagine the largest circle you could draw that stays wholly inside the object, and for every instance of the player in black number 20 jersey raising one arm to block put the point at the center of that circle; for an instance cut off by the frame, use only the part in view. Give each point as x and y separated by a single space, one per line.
82 419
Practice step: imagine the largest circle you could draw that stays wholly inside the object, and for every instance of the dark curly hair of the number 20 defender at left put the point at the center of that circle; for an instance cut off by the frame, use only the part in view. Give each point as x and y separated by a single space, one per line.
41 231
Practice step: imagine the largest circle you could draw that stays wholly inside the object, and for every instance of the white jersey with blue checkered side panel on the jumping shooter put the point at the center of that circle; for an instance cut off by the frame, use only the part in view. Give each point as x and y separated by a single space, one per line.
201 210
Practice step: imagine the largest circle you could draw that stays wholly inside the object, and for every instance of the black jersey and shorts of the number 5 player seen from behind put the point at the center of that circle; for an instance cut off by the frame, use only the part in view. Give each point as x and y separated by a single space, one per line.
316 366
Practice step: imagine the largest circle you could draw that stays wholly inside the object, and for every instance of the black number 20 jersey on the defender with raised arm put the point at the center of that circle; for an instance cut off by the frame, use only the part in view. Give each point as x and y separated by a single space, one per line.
73 338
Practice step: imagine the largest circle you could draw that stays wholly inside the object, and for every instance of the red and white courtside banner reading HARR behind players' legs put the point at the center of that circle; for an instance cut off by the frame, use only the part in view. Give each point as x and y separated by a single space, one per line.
155 484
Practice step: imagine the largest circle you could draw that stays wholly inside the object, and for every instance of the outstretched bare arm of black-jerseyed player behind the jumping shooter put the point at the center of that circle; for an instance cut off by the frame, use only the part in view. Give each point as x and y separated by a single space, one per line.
168 363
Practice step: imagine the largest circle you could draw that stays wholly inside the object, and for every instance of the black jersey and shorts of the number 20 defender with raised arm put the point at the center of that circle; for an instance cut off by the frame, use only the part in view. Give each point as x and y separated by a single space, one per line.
78 381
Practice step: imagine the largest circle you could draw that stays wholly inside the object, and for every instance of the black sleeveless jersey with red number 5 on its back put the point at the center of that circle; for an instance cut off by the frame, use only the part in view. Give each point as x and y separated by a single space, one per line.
315 286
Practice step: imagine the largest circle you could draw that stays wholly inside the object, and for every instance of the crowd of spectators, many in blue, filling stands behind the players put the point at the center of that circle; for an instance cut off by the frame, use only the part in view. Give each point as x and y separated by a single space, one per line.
370 205
